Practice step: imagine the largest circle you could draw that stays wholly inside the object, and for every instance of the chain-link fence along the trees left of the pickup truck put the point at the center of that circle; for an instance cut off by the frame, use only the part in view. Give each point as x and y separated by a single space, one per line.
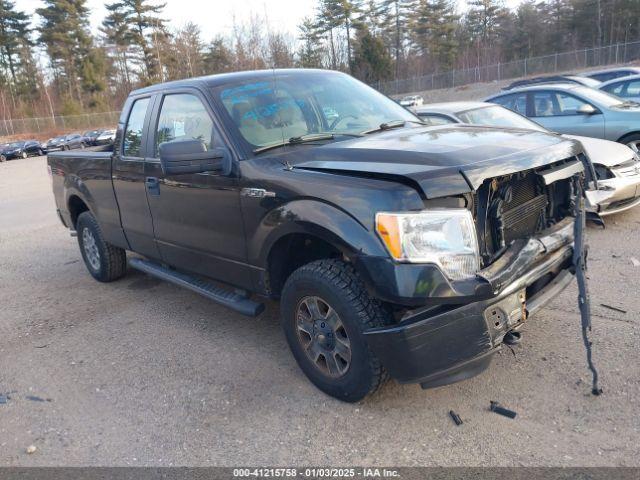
87 121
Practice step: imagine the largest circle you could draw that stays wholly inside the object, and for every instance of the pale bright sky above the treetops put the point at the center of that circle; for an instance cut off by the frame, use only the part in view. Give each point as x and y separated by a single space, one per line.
216 16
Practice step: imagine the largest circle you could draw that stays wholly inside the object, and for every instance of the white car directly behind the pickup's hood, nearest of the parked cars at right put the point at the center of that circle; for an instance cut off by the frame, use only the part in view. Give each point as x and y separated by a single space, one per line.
617 166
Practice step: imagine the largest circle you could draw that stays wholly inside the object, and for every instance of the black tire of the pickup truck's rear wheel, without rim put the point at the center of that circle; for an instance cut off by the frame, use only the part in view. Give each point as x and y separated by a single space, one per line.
111 262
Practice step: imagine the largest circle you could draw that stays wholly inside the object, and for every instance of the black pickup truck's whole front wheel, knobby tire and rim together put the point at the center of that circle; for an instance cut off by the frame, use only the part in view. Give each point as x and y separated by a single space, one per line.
324 311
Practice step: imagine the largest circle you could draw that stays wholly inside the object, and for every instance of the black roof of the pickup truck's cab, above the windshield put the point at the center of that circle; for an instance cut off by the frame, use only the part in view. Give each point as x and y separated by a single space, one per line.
232 77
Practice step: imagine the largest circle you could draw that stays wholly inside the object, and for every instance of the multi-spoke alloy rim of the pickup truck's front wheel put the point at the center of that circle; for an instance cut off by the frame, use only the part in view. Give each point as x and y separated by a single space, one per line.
323 336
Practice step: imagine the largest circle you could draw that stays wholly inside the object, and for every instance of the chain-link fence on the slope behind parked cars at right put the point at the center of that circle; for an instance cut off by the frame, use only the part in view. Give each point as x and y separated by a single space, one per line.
558 62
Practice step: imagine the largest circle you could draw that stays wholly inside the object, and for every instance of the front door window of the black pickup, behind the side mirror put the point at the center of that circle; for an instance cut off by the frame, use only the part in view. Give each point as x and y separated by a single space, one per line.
184 117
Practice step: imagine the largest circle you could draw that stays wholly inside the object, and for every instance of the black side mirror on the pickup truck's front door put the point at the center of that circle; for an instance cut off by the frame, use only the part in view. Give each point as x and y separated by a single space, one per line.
191 156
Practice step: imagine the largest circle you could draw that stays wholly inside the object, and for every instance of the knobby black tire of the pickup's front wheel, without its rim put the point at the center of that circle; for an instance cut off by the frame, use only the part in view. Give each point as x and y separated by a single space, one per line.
337 284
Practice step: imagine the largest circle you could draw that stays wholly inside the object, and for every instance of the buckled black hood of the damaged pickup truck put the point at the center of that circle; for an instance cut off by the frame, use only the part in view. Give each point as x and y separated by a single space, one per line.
440 161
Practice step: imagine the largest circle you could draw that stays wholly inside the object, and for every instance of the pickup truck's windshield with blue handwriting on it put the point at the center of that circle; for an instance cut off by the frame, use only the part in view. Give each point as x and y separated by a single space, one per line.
268 111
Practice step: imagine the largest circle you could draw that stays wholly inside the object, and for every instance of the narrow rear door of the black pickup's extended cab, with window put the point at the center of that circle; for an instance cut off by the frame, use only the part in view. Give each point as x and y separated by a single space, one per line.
128 177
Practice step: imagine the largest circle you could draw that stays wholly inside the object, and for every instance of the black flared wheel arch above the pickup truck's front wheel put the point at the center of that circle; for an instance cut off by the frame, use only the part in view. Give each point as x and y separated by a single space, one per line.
313 217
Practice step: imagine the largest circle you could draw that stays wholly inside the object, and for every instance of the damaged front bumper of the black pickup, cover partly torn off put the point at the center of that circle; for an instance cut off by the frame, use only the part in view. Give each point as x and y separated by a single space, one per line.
441 344
